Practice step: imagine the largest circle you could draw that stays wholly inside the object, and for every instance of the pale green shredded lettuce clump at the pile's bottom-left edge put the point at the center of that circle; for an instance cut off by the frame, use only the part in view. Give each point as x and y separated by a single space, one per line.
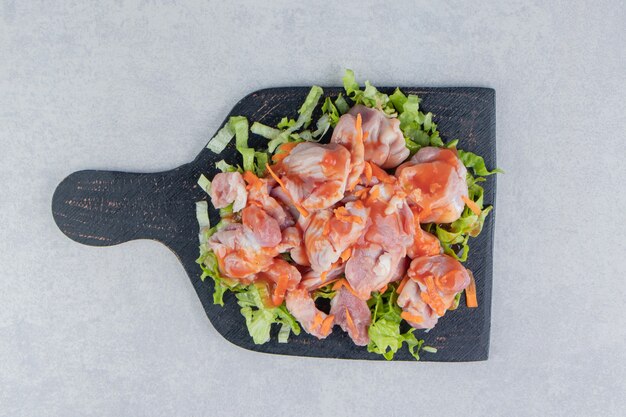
259 317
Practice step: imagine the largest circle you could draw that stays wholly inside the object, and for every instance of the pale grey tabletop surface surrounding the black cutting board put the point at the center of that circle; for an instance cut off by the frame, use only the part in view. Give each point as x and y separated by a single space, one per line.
141 86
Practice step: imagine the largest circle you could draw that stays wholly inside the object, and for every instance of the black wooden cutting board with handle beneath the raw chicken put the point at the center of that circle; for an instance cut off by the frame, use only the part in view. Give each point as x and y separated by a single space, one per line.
104 208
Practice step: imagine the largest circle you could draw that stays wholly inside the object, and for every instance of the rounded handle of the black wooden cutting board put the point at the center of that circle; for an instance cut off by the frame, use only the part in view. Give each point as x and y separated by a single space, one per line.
104 208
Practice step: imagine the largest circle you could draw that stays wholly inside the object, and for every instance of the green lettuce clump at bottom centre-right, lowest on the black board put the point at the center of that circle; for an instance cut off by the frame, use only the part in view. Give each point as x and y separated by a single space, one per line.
384 331
